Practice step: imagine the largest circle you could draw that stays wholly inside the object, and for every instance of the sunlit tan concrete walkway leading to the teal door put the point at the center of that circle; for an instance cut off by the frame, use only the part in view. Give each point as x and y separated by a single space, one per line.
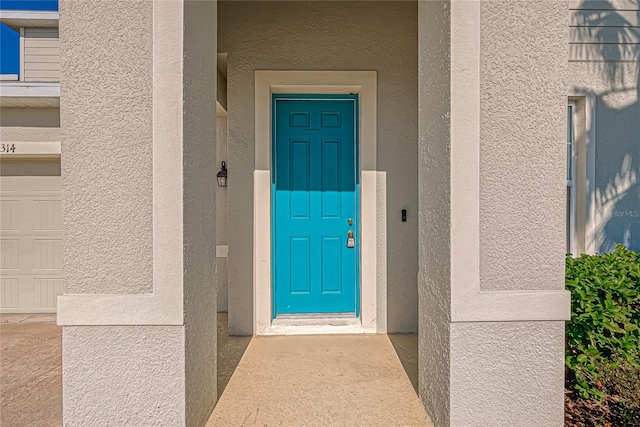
338 380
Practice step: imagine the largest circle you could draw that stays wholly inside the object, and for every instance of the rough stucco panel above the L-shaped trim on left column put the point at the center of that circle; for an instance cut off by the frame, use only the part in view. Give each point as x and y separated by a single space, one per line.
106 122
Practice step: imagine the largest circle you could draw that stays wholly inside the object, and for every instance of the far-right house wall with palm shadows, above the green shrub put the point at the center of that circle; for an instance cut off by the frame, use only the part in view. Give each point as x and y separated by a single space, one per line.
610 40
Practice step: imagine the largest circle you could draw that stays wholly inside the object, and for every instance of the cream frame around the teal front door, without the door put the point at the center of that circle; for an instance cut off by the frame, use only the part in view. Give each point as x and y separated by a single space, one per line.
372 203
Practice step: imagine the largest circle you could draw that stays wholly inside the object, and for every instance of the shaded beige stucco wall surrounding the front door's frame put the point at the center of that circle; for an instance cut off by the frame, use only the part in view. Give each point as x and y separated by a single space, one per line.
378 36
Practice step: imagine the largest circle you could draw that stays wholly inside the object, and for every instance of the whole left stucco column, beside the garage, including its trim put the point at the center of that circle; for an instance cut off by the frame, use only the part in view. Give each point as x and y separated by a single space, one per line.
138 170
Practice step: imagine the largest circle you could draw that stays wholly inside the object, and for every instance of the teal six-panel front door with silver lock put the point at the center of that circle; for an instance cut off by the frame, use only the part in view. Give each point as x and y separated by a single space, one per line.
315 193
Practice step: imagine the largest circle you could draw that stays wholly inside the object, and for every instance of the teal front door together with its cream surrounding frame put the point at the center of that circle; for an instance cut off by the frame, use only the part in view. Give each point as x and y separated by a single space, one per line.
337 110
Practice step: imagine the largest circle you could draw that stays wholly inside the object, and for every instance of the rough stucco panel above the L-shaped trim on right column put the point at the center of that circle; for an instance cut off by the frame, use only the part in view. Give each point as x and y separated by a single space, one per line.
522 154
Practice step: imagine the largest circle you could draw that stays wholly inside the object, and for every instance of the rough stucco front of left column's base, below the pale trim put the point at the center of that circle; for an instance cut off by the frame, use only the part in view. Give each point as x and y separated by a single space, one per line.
123 375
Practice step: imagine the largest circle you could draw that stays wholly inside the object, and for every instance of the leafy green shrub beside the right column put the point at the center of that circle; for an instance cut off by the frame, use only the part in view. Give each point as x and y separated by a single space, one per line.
603 333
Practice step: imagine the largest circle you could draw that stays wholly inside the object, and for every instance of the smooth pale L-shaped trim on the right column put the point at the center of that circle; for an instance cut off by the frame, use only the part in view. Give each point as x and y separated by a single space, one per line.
468 302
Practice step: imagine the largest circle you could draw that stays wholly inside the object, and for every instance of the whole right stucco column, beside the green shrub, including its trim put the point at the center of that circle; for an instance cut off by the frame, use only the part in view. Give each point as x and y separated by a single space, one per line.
491 167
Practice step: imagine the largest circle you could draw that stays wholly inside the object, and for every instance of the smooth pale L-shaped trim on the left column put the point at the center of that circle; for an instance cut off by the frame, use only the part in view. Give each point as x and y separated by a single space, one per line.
165 305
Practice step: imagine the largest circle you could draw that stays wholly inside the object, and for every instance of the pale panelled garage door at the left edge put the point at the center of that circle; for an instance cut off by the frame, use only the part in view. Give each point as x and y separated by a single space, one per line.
30 236
